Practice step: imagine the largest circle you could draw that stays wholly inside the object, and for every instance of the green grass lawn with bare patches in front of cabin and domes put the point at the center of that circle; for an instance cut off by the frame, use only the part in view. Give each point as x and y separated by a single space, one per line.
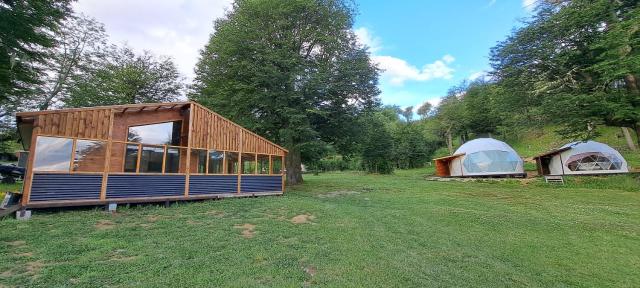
351 230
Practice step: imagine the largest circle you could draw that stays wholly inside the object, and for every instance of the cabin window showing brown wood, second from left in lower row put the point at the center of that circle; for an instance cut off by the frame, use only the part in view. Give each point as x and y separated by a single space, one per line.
89 156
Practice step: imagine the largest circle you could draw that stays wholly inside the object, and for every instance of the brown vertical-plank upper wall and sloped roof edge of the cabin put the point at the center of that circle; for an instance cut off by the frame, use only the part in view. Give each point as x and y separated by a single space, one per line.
206 131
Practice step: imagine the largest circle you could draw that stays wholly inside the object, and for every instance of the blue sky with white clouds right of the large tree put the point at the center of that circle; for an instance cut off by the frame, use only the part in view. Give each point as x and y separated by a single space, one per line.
428 46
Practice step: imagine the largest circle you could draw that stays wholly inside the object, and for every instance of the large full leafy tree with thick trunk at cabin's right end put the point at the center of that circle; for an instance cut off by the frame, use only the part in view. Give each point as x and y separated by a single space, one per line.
291 71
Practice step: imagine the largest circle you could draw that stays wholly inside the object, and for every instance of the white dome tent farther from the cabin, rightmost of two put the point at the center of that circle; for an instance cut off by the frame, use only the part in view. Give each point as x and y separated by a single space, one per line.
582 158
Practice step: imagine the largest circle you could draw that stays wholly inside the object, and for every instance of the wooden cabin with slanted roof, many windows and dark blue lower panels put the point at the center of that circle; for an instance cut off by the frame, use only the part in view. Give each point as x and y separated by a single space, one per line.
143 153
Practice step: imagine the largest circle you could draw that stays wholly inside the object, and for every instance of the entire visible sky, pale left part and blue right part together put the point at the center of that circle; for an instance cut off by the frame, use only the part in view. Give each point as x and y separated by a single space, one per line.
423 47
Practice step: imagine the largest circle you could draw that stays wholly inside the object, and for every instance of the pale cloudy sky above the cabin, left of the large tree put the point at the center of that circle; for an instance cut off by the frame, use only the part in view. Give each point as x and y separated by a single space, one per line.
176 28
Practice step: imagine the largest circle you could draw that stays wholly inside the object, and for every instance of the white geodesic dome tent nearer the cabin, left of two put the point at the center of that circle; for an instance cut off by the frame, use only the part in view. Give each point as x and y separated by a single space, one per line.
486 157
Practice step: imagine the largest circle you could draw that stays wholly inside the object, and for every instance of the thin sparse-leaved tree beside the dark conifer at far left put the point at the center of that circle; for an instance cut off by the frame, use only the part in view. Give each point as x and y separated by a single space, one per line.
81 41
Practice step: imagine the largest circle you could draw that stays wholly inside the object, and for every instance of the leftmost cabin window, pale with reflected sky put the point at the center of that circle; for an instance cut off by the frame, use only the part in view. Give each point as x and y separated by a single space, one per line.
52 154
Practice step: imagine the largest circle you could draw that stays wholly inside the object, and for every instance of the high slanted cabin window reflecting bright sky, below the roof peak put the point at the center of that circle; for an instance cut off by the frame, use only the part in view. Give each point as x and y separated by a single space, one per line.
167 133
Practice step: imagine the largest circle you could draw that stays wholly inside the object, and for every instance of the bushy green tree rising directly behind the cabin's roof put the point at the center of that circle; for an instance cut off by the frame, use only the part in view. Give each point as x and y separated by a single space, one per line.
124 77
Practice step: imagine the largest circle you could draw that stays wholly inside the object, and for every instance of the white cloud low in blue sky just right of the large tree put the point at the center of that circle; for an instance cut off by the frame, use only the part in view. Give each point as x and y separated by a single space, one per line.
397 71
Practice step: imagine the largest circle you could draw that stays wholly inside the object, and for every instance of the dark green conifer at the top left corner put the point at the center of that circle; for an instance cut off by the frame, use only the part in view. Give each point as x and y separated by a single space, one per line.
27 29
